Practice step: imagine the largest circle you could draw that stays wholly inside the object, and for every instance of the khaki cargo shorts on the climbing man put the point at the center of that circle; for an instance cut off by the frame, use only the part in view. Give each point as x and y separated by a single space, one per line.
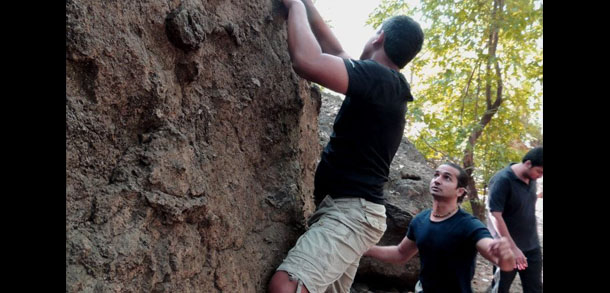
326 257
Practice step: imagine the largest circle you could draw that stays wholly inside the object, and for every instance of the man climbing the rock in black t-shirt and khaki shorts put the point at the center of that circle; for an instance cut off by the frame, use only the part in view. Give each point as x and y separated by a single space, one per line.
350 215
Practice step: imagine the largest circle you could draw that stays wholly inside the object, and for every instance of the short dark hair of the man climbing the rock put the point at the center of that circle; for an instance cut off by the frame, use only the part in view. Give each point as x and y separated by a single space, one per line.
403 39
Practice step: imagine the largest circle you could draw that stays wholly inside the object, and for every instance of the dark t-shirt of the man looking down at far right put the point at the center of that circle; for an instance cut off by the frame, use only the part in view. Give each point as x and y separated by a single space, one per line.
517 202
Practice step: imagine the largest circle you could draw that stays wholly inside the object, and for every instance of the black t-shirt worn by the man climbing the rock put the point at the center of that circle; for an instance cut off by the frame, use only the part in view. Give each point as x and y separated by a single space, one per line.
366 134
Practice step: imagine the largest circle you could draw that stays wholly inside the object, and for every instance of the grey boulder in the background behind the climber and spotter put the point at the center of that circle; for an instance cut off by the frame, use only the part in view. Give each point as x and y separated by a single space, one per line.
407 194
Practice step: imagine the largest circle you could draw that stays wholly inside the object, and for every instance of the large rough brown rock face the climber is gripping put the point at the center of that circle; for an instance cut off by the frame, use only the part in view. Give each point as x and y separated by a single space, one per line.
190 145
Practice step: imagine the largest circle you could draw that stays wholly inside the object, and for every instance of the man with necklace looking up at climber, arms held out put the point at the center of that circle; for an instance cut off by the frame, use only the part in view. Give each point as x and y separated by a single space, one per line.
447 238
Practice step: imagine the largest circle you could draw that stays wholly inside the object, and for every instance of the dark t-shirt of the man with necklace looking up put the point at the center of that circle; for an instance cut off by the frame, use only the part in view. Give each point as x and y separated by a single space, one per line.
447 250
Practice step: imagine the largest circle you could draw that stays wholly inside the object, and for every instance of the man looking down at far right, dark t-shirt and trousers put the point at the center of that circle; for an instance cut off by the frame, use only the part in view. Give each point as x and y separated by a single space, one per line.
512 207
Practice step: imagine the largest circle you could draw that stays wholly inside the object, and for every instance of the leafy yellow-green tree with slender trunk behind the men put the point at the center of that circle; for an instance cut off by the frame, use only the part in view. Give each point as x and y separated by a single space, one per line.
479 83
